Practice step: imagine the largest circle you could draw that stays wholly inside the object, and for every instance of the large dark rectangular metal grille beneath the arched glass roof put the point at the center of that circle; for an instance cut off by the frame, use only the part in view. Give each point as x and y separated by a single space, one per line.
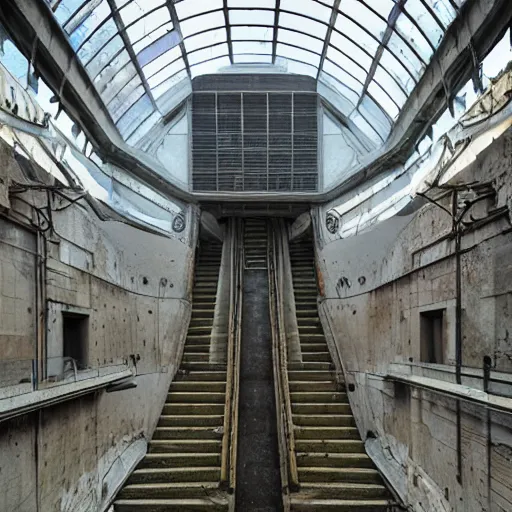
255 142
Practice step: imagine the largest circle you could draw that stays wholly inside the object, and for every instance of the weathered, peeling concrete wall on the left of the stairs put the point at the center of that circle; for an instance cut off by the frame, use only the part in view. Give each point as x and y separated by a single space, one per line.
134 287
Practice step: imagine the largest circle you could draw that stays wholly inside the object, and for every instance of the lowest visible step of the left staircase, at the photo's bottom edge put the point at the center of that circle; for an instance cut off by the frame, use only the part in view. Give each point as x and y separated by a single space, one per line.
171 505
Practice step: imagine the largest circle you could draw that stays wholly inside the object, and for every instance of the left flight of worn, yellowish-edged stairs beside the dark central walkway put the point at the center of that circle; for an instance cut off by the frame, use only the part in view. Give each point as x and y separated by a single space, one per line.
181 471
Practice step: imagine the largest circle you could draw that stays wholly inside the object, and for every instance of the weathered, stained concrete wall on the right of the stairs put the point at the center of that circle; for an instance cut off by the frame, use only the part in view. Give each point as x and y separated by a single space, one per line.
376 286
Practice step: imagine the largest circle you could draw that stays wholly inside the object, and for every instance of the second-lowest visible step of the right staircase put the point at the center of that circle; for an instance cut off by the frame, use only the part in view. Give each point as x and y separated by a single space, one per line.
338 490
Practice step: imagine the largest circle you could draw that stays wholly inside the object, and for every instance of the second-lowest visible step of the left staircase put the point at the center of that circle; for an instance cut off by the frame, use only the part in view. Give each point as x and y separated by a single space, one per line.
183 490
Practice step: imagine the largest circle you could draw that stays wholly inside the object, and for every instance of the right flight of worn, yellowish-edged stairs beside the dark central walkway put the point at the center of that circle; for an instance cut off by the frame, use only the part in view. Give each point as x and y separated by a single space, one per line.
334 471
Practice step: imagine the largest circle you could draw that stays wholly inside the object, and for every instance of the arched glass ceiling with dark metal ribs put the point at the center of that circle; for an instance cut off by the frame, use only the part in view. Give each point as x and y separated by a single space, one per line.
368 53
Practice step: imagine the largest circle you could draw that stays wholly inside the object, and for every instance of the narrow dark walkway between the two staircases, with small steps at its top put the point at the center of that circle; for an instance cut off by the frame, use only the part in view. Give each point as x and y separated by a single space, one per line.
258 473
